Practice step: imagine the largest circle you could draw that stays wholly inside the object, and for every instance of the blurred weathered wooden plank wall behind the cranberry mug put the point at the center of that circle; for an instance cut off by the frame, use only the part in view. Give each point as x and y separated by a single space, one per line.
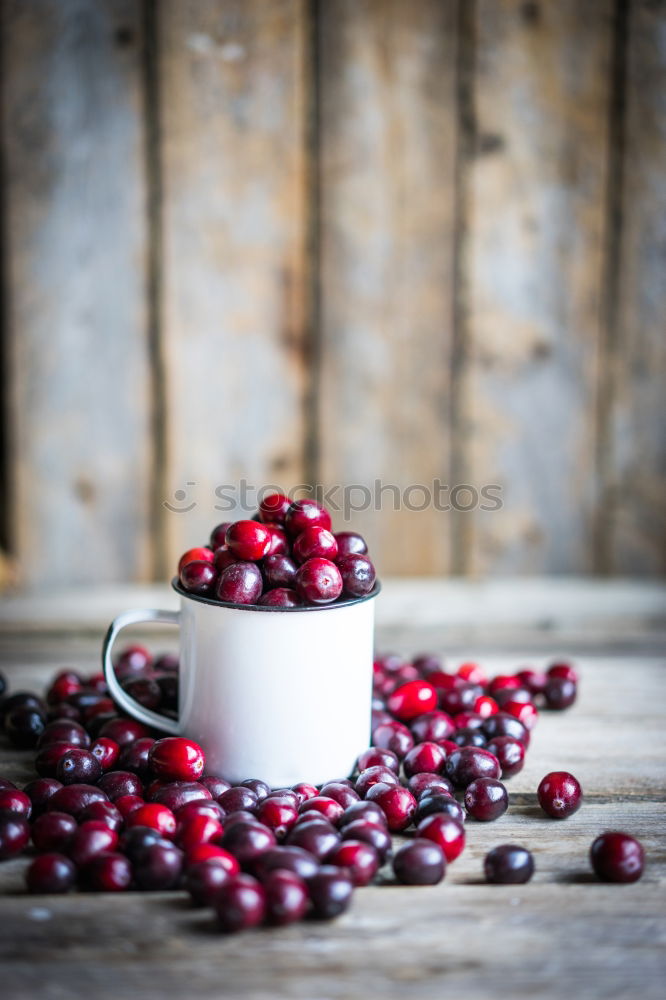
335 242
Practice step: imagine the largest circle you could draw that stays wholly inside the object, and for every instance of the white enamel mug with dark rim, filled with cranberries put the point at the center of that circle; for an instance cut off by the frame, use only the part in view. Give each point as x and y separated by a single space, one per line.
281 694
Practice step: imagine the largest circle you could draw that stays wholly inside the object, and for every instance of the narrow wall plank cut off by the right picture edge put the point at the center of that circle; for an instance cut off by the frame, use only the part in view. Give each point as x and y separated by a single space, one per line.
633 508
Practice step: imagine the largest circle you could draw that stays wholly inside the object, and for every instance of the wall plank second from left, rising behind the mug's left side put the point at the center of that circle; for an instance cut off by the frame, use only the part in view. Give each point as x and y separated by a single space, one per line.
232 76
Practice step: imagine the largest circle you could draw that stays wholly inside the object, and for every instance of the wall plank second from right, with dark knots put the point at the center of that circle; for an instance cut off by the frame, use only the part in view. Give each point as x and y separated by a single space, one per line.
534 267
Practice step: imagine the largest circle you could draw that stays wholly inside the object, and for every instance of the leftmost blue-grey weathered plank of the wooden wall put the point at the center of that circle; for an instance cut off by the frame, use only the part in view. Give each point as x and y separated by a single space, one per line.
75 233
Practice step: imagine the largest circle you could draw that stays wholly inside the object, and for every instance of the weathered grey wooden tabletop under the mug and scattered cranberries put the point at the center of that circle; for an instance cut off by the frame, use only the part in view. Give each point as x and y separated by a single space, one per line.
562 935
